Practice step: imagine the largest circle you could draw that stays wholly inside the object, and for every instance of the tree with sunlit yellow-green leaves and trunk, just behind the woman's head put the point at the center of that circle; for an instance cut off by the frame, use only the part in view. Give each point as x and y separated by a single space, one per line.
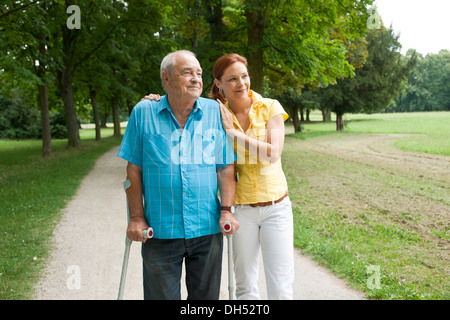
293 38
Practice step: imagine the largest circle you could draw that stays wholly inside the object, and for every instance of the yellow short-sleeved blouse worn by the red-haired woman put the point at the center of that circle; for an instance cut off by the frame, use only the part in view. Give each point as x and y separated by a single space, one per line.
258 180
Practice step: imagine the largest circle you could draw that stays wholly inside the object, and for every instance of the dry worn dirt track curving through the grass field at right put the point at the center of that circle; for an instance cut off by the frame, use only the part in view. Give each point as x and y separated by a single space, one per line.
373 172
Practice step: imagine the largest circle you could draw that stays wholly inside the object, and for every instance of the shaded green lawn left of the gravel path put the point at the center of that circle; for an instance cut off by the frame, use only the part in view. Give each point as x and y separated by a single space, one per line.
33 192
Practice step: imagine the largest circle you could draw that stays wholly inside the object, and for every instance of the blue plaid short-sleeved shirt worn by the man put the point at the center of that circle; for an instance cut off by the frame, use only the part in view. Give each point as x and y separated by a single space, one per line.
178 166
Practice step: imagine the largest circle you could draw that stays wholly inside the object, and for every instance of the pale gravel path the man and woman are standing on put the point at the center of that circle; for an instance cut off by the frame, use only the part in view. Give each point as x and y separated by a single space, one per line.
86 261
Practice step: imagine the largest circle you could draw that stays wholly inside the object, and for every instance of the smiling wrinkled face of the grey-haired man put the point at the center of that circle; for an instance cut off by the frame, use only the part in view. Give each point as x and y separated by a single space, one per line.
186 78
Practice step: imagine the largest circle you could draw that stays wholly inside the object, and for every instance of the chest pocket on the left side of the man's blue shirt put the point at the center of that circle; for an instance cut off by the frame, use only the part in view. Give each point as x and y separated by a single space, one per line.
156 150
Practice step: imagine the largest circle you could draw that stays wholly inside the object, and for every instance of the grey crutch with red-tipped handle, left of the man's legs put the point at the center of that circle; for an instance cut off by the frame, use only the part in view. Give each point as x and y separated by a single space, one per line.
147 233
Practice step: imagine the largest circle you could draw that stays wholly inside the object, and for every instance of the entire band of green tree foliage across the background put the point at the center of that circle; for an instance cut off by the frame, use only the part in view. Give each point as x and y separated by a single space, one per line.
293 44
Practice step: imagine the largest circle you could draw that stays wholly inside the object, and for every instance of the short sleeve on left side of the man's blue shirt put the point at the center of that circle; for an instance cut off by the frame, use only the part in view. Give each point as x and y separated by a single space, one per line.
131 146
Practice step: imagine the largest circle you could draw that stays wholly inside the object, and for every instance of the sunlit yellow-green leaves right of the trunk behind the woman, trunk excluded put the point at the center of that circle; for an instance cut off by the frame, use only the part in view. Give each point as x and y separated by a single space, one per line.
300 44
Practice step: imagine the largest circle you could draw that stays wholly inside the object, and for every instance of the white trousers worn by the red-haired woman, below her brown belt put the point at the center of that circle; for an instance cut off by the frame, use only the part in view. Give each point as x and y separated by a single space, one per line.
270 229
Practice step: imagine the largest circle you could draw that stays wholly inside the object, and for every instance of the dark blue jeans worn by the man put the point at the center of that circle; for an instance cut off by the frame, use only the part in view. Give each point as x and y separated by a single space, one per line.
162 265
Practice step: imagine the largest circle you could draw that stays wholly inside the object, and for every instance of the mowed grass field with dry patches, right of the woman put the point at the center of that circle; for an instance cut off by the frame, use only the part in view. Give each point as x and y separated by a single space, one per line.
372 208
